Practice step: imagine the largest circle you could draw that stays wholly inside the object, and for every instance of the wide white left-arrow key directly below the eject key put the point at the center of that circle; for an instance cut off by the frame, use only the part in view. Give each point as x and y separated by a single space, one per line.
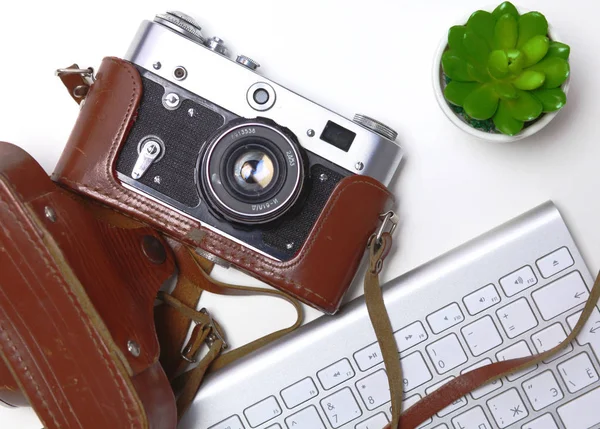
561 295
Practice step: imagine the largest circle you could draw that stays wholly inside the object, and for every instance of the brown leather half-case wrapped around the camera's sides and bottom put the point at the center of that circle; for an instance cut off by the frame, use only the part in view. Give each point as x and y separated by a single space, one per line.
323 269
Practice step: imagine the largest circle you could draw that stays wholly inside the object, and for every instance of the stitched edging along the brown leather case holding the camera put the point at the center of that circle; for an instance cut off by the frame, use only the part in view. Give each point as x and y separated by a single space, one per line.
126 198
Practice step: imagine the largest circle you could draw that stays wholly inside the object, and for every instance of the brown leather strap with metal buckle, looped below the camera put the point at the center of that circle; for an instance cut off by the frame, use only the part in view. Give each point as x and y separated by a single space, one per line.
172 321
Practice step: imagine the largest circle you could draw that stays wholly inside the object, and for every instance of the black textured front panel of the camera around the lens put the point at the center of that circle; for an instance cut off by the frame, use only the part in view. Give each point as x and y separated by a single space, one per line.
174 178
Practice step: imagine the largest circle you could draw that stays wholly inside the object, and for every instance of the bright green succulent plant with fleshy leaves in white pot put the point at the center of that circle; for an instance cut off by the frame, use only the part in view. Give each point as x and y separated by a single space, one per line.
501 66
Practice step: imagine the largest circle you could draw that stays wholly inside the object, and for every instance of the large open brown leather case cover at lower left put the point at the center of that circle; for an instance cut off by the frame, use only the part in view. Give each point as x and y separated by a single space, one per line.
73 292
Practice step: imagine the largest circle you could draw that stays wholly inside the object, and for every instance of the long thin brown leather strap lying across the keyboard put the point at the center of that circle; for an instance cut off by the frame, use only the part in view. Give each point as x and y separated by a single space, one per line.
457 387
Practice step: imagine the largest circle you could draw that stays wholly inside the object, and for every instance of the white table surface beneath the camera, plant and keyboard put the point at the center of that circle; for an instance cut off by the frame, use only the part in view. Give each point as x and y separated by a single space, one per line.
370 57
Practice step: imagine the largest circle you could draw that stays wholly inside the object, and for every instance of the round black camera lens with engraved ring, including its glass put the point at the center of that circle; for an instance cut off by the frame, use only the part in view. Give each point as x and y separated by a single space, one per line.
252 171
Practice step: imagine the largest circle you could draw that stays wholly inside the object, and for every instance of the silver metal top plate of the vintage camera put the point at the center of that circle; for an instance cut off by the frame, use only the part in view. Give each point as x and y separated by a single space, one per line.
226 83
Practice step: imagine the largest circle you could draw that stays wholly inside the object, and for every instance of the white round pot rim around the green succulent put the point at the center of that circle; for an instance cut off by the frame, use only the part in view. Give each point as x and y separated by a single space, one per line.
457 120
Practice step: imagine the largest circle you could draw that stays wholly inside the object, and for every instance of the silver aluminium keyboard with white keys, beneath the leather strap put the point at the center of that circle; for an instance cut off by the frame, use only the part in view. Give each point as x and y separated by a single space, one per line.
514 291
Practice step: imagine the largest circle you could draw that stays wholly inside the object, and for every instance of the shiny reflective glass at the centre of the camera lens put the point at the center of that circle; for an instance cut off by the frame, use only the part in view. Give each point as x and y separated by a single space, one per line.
254 171
